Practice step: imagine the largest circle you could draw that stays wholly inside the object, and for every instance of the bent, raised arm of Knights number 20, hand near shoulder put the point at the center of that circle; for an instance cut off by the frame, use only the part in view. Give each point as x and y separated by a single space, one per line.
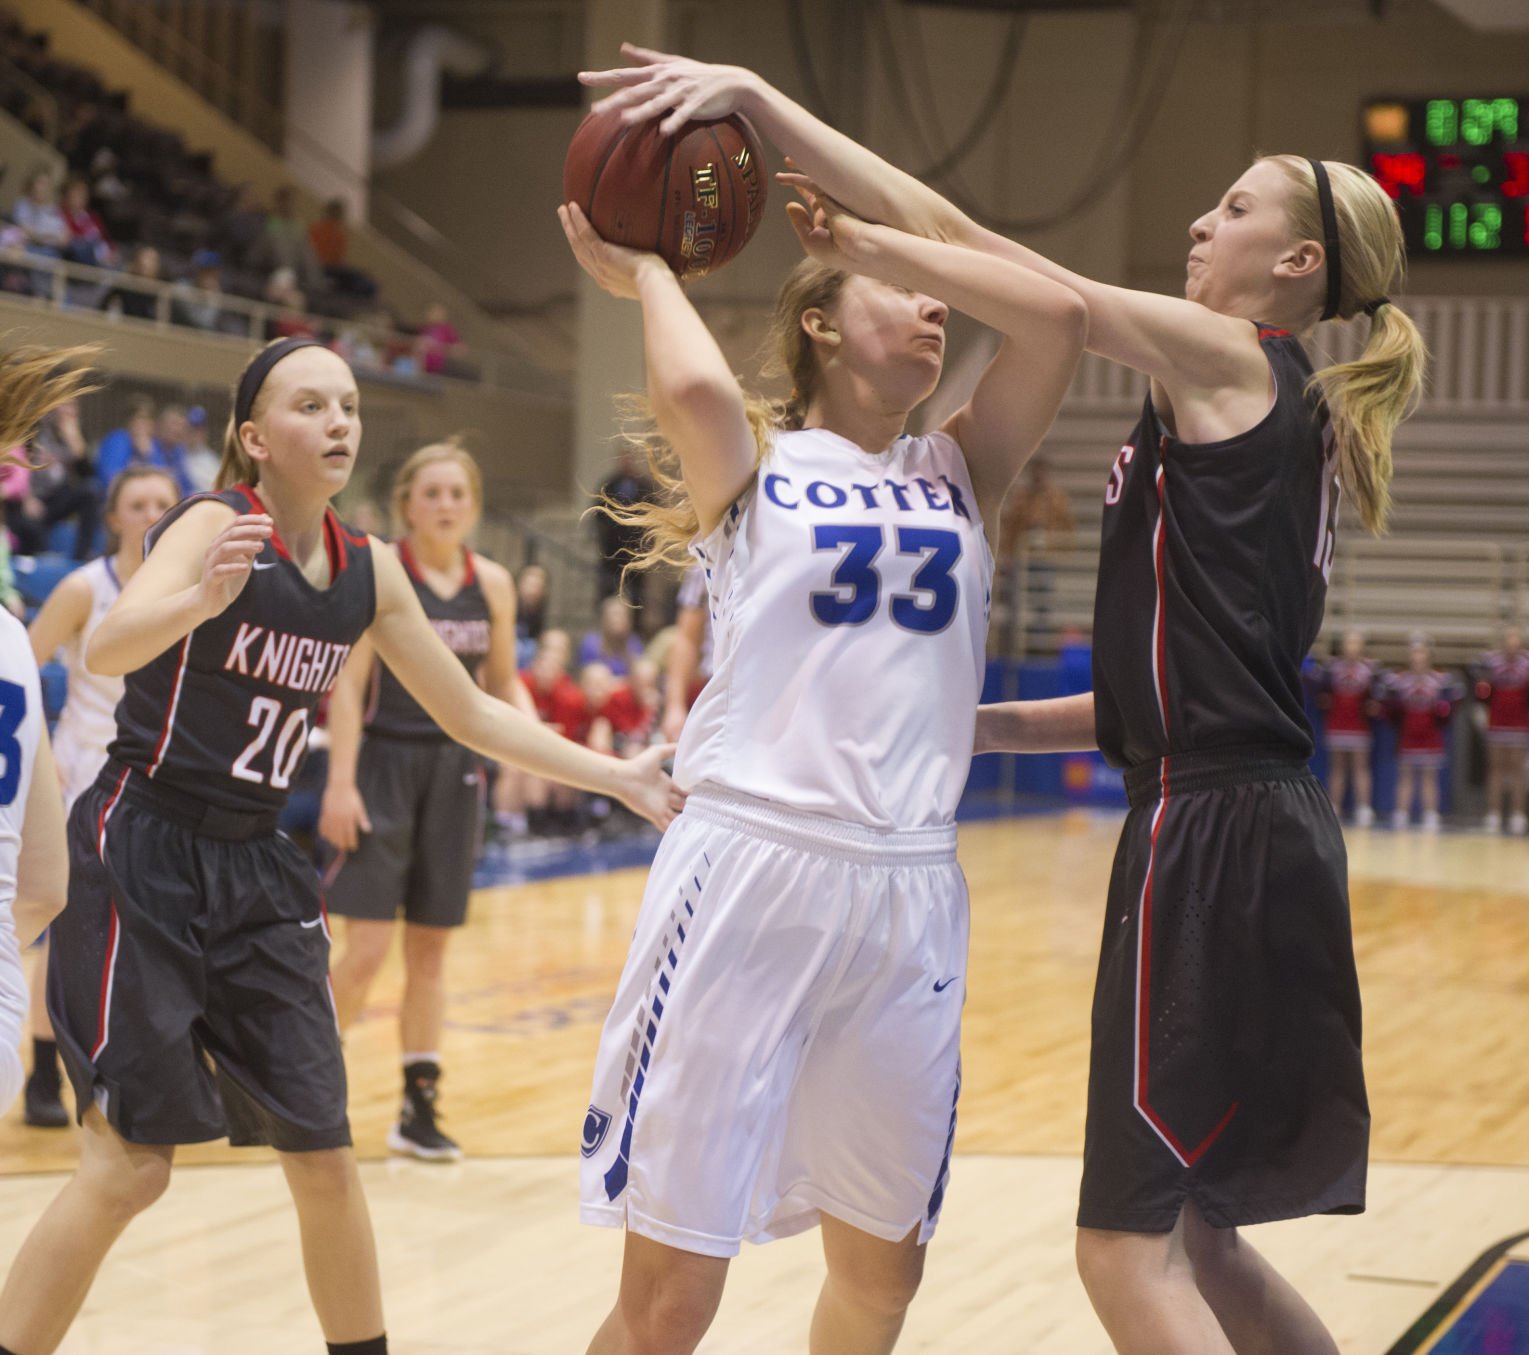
192 574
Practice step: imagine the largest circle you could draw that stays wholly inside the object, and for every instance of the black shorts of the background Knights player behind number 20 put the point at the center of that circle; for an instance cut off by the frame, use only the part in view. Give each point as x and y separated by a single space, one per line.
426 804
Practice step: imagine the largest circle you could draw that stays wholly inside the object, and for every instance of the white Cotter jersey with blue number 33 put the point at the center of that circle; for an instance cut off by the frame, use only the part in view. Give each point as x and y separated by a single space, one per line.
849 606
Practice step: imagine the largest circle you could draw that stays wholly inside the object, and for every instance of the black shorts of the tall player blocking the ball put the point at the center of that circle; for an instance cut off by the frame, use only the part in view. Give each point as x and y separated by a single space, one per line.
1225 1064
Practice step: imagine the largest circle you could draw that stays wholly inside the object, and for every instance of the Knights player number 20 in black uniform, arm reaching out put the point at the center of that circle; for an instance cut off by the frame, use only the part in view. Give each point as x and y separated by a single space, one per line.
189 983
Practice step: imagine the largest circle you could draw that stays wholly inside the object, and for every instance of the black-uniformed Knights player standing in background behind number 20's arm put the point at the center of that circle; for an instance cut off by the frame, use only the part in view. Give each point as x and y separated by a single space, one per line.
404 805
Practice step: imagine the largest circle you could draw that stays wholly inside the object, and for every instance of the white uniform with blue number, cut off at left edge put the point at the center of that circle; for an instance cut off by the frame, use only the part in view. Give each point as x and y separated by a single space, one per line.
21 729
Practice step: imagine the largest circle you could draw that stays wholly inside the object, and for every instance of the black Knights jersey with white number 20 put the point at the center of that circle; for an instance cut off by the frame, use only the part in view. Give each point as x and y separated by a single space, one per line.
226 713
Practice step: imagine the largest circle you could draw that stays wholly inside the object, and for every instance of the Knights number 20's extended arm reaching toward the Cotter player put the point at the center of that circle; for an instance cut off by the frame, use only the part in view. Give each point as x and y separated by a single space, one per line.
469 715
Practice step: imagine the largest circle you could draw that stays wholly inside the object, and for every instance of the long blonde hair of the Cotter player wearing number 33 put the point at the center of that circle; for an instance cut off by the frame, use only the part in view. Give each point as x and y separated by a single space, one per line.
670 524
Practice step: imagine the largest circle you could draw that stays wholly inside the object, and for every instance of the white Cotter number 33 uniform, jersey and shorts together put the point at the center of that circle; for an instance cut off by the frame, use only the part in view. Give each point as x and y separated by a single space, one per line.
785 1038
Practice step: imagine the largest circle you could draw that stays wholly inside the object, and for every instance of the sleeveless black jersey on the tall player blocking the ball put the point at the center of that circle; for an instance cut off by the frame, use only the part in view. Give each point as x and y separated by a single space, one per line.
1213 579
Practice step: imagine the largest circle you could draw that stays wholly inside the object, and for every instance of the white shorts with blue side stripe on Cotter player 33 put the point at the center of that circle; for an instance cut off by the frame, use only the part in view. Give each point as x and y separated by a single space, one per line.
787 1036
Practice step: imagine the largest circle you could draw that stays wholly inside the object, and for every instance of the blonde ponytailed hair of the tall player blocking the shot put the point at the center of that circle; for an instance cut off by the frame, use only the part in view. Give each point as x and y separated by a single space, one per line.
1369 397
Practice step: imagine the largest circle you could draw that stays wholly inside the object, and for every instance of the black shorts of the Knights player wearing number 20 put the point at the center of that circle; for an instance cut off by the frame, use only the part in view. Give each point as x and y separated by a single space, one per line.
189 981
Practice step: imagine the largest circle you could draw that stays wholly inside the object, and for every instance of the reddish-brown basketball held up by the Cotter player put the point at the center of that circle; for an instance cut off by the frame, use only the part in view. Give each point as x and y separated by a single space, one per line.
695 198
